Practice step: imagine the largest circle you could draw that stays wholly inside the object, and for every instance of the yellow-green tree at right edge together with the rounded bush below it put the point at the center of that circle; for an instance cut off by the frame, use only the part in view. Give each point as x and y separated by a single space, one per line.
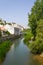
36 47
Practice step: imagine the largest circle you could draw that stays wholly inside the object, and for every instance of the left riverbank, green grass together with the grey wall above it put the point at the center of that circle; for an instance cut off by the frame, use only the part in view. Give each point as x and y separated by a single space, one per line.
5 45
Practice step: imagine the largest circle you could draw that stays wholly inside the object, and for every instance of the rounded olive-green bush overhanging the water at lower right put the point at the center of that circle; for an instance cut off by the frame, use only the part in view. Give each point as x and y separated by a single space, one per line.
36 47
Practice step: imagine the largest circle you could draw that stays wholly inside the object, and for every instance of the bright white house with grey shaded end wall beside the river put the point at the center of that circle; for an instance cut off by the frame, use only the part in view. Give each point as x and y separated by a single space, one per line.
12 29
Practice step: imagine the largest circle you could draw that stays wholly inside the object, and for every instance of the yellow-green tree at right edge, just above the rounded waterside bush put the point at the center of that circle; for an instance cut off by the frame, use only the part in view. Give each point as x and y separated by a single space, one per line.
40 30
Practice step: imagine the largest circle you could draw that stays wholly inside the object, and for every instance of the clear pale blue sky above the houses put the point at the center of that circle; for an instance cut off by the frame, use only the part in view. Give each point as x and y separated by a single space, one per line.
16 10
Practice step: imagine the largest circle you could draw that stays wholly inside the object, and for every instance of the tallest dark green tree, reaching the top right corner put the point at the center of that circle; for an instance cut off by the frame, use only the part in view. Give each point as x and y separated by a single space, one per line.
36 15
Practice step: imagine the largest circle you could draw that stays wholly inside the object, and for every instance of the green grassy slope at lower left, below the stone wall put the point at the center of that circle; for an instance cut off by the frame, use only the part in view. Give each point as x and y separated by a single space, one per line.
4 47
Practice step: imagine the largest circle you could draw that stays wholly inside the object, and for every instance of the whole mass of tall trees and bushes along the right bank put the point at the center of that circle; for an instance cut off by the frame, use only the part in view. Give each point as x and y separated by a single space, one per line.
36 25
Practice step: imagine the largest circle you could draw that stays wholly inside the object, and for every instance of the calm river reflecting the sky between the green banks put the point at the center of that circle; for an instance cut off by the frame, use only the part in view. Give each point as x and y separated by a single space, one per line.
19 54
